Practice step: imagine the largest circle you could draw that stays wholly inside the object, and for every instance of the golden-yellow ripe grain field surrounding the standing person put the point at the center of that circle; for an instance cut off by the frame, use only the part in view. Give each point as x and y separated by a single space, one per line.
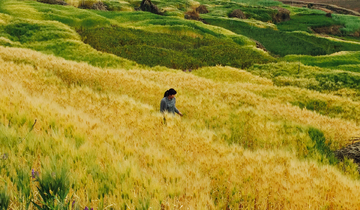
182 165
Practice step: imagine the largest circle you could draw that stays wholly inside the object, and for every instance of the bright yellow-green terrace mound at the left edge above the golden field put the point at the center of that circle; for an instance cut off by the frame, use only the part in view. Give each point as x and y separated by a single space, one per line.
55 38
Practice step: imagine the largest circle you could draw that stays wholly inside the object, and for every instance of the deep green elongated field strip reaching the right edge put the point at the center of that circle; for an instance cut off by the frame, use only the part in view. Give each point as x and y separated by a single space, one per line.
284 43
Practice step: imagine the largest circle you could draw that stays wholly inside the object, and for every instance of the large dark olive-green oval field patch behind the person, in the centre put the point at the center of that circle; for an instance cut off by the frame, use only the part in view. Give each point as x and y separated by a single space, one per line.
179 52
